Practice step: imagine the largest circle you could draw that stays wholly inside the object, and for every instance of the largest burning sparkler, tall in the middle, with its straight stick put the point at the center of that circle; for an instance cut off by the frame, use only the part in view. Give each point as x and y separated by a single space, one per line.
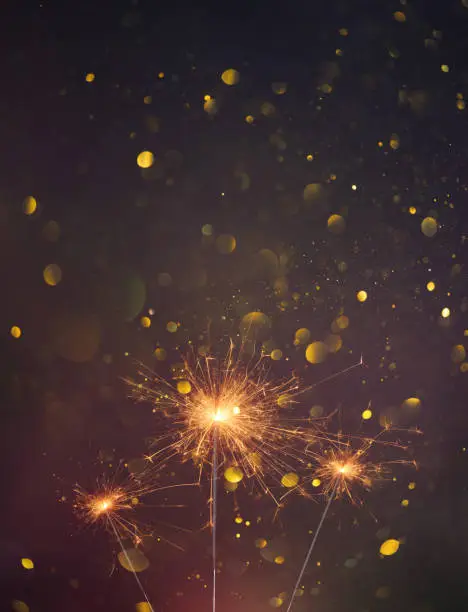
227 414
